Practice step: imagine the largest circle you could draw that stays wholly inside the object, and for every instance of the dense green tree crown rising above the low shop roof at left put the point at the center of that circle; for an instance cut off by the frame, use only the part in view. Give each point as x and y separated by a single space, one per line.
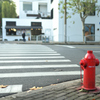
8 9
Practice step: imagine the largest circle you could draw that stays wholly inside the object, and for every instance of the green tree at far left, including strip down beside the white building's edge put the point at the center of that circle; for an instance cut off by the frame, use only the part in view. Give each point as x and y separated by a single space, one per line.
7 10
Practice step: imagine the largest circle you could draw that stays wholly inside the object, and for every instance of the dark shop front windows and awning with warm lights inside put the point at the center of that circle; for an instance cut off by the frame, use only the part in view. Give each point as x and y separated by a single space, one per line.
30 31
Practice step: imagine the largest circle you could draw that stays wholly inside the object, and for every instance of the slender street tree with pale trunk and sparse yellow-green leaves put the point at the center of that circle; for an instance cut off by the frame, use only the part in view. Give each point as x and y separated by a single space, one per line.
83 7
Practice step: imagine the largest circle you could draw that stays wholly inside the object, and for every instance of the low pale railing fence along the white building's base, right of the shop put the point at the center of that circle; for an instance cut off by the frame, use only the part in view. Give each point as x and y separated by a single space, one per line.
73 38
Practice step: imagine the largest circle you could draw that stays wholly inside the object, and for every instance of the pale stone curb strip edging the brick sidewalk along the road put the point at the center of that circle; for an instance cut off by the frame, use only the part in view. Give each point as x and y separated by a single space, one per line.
49 88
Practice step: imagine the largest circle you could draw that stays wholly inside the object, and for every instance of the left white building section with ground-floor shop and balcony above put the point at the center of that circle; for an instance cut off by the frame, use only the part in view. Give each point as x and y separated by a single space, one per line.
35 18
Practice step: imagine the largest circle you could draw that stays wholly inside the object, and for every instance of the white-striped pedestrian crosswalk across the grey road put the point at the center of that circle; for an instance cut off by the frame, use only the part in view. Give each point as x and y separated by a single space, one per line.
19 56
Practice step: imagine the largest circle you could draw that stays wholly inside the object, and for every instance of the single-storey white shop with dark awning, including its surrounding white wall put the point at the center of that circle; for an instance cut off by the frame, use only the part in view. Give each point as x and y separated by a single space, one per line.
34 29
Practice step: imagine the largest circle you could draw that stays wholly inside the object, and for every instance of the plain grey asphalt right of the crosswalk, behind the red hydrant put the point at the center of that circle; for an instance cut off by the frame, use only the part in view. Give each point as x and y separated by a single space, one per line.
78 52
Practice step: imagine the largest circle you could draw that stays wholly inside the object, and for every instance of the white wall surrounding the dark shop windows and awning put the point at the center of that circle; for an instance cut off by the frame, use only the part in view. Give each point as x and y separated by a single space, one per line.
47 24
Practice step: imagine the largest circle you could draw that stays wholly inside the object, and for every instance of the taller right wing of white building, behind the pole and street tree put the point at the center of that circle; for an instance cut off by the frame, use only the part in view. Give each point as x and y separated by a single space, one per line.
74 31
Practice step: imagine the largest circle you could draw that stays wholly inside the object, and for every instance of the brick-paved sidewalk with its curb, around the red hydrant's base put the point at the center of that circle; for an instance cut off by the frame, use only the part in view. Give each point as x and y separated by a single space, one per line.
63 91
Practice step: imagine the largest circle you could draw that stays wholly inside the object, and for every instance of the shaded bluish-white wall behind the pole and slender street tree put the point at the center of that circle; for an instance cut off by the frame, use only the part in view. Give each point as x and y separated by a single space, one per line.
74 31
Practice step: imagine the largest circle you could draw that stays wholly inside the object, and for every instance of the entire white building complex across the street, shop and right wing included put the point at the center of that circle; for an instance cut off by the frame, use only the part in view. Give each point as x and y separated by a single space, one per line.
41 18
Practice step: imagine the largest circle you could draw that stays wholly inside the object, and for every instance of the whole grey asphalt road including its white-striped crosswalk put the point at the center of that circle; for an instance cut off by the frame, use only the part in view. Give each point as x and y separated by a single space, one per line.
25 65
